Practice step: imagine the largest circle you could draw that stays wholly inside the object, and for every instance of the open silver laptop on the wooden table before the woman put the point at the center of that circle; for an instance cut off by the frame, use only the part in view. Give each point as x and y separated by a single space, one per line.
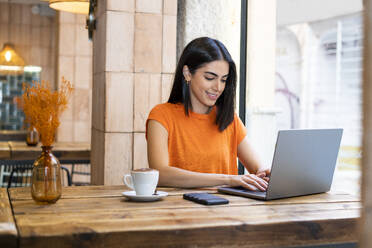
304 162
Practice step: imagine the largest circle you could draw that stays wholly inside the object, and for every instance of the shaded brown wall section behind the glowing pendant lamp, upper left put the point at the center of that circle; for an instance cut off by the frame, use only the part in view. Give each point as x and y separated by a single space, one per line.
33 37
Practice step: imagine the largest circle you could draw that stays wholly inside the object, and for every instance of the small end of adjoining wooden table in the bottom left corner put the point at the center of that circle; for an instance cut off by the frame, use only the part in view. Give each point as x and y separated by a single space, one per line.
8 230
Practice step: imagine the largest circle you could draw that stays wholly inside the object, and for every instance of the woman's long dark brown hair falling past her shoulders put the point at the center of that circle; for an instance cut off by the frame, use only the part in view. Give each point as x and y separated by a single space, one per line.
196 54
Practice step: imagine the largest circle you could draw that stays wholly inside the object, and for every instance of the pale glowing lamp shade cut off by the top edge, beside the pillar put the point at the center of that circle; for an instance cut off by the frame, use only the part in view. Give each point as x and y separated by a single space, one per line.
73 6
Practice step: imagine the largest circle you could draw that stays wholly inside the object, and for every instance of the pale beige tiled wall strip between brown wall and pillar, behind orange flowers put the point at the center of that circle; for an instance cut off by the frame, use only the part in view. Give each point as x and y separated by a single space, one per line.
75 64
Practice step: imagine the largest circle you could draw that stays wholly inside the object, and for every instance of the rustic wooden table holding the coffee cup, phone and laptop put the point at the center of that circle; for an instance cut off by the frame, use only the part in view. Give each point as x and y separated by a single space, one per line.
98 216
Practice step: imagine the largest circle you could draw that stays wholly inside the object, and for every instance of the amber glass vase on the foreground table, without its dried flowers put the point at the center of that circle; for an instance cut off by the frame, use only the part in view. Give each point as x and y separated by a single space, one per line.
46 184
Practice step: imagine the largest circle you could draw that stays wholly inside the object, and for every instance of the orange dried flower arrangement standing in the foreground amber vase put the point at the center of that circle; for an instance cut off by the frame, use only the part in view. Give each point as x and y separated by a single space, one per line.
42 107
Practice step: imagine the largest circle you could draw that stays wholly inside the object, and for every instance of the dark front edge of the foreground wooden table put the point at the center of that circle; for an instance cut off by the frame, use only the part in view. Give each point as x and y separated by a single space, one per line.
274 235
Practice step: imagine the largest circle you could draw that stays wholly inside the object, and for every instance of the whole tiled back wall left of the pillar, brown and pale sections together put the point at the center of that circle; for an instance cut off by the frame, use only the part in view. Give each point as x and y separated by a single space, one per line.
60 46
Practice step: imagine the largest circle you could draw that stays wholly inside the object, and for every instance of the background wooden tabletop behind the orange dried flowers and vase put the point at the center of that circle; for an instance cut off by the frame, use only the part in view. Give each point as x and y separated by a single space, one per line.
62 150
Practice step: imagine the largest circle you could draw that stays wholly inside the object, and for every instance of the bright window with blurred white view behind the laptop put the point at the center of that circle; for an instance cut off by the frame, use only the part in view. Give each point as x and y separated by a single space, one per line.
319 80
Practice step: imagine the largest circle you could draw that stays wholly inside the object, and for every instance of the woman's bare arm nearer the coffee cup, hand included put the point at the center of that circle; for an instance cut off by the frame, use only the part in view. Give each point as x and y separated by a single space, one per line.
157 150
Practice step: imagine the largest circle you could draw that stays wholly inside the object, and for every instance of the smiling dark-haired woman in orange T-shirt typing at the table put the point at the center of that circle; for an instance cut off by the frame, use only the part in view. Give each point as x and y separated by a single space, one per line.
194 139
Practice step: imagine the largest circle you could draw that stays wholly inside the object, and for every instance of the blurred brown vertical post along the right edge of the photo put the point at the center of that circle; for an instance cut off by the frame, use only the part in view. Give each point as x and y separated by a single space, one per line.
366 212
